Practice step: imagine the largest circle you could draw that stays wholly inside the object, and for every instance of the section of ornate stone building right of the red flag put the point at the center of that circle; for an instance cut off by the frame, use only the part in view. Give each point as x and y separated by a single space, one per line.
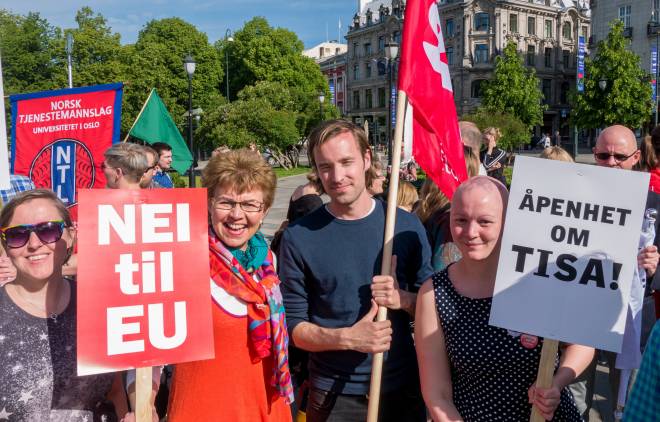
546 33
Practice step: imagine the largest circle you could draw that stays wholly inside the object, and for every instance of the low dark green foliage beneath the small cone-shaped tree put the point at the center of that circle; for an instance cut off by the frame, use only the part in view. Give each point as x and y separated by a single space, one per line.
514 132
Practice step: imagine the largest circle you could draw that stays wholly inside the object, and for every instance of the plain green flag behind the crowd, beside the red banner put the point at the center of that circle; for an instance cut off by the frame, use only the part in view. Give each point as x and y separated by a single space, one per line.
154 124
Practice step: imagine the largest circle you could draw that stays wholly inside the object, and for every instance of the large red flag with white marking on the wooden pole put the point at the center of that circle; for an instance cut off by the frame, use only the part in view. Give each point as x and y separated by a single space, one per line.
424 77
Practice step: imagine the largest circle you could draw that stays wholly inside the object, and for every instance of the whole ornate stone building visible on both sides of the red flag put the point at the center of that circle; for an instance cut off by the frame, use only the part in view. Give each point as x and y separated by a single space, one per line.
475 31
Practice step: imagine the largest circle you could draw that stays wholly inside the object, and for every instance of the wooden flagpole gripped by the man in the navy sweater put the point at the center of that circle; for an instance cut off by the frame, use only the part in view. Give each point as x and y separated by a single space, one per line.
385 269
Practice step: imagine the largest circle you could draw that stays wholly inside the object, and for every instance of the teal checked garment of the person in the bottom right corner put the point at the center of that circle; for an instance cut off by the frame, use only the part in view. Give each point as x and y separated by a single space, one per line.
644 402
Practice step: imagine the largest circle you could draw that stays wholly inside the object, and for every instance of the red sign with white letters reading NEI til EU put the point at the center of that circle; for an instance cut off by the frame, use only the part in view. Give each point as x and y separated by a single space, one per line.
143 279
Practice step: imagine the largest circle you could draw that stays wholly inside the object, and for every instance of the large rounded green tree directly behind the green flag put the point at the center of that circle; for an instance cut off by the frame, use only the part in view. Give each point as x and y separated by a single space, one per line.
156 61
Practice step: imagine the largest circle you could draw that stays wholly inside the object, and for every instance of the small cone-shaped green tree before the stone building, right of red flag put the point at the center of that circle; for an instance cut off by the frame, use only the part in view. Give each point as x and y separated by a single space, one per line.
514 89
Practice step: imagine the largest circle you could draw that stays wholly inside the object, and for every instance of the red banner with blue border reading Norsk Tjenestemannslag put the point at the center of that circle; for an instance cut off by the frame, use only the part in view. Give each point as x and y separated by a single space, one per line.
59 137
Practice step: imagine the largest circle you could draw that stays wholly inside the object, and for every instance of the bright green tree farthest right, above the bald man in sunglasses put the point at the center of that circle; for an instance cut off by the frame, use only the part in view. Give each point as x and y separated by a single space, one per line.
626 99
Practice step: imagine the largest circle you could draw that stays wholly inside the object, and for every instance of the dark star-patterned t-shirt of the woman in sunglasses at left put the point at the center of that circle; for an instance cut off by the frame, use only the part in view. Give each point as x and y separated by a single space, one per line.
38 380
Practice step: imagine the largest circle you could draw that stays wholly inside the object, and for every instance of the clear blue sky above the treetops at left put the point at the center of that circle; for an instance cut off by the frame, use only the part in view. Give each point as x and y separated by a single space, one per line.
307 18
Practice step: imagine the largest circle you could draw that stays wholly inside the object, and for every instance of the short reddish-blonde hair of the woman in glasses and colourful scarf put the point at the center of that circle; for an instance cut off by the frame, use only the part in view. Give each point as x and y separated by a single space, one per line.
241 171
